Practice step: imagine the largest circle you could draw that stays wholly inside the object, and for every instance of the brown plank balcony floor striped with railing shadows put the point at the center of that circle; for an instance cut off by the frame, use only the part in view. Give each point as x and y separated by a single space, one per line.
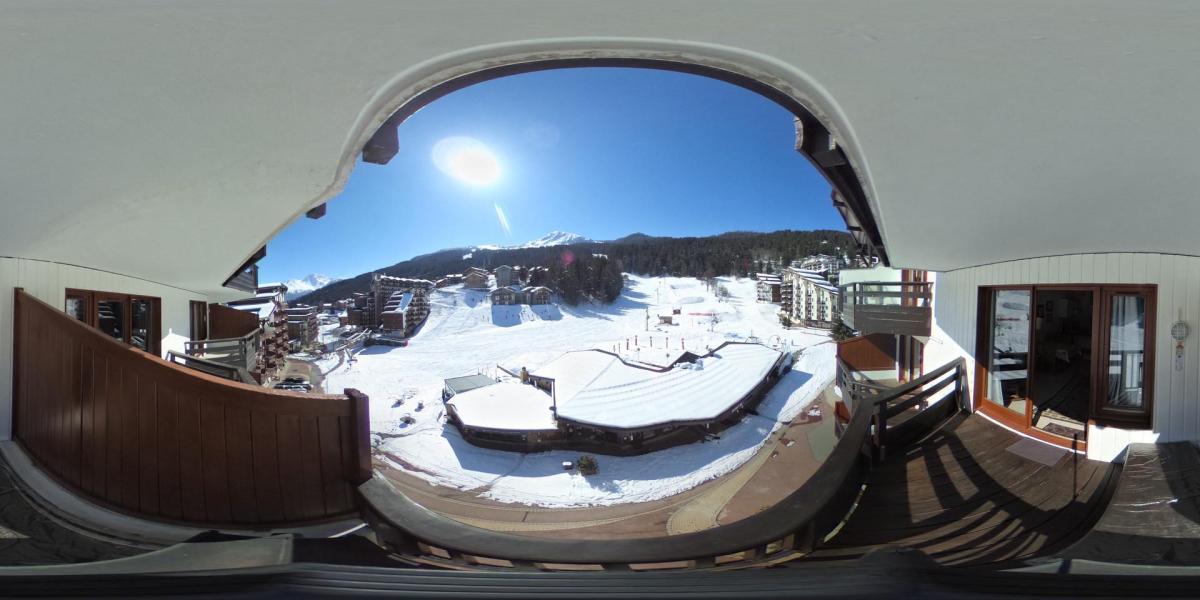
962 497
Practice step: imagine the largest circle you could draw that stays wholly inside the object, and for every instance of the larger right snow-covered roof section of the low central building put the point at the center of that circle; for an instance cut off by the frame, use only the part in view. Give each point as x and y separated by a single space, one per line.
598 388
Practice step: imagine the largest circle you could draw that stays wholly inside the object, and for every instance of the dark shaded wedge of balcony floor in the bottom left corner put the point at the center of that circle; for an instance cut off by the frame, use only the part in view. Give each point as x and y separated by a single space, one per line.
31 538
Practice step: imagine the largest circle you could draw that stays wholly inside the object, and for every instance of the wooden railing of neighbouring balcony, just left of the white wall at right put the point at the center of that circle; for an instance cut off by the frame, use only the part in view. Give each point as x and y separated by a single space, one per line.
887 308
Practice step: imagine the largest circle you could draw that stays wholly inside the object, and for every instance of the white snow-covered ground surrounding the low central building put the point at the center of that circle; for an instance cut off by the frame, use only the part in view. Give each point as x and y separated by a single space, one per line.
465 334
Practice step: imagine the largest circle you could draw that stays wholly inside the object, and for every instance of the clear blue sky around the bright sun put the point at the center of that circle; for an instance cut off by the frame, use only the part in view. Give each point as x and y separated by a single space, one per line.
602 153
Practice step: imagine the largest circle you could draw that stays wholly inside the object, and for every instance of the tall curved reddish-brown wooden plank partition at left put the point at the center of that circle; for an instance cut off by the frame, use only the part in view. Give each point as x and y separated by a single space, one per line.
158 441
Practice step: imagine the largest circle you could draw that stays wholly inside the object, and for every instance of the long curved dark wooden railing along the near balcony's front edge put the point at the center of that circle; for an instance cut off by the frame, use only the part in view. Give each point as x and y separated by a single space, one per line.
784 532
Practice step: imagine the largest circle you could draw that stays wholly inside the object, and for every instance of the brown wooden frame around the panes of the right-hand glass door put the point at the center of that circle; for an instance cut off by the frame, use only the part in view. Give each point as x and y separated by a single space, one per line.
1102 296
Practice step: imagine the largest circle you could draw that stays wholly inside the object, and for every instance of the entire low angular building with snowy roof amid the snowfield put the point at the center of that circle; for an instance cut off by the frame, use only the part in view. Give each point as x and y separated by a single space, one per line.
595 400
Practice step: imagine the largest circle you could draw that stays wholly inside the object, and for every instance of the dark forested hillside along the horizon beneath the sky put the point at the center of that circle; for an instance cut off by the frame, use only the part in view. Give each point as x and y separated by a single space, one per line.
729 254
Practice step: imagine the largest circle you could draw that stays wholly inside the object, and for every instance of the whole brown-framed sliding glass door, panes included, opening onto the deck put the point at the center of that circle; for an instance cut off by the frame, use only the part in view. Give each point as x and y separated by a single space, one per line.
1054 358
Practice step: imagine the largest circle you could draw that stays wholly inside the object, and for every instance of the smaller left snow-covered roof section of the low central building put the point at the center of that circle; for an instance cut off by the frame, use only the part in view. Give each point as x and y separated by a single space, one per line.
511 406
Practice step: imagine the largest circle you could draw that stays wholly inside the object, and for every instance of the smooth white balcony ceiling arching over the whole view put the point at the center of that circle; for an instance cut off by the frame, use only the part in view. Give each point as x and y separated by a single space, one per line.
169 141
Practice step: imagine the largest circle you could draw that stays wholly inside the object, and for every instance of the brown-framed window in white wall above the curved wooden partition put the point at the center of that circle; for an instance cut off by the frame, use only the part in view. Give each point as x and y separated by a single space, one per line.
128 319
